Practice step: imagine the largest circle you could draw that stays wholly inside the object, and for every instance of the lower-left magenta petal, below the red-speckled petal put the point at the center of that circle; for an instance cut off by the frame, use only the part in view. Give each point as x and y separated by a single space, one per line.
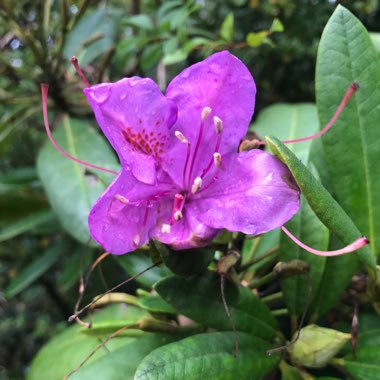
123 216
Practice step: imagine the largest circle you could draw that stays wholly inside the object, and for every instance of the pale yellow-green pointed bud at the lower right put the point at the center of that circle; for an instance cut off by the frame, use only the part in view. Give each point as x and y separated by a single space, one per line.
316 346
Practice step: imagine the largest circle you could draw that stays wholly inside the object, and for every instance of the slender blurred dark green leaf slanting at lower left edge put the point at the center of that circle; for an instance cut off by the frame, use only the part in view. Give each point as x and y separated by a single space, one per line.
34 270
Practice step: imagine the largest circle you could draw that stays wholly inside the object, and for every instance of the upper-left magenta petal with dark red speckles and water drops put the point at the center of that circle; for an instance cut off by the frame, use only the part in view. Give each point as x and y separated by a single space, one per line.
136 118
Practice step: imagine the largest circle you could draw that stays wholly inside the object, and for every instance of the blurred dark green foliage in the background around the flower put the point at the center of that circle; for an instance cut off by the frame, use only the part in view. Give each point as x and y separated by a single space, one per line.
42 254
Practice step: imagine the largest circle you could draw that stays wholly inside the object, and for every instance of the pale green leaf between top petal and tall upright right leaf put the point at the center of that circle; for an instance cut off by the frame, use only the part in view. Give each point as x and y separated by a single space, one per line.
289 122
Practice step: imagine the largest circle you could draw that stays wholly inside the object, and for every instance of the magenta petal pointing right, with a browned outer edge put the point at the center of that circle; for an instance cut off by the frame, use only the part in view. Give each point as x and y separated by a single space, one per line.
254 193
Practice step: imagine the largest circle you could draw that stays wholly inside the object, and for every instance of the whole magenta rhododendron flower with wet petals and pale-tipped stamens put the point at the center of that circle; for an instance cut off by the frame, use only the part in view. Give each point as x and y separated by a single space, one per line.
182 179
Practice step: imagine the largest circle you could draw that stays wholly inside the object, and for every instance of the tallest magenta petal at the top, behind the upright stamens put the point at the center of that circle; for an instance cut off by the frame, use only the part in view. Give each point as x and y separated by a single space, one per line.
223 83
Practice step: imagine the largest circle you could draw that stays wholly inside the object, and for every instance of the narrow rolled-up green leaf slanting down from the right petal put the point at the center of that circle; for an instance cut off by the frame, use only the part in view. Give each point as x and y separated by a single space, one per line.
323 204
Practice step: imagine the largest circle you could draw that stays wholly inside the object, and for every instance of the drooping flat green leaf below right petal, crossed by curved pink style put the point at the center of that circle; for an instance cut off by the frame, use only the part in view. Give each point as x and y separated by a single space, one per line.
307 227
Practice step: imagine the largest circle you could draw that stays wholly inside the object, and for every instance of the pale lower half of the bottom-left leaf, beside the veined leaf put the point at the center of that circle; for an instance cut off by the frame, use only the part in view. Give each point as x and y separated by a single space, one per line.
122 363
